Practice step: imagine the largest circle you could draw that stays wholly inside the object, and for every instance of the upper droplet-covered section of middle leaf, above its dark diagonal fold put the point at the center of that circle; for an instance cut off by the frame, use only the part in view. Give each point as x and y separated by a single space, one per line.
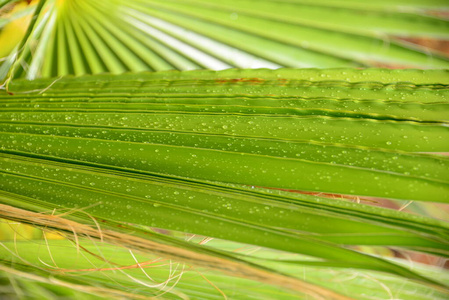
364 151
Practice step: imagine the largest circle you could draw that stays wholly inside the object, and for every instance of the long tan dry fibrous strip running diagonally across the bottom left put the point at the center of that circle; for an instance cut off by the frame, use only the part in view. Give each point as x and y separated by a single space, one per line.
230 267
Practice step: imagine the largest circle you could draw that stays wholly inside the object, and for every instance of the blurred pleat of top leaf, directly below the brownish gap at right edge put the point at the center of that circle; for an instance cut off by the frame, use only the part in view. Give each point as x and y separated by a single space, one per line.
361 49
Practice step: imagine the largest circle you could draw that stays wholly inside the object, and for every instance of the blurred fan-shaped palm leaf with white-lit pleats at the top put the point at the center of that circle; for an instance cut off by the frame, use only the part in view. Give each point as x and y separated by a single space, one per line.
183 35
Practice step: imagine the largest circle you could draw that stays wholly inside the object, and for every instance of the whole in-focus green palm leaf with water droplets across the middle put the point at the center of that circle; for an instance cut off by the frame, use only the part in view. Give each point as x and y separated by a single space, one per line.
111 146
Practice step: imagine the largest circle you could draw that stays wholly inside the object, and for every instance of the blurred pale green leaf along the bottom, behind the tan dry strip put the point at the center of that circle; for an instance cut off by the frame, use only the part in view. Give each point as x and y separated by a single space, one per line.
190 283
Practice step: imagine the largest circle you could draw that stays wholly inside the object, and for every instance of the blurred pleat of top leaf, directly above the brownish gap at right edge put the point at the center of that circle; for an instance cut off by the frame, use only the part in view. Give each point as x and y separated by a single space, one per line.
351 19
